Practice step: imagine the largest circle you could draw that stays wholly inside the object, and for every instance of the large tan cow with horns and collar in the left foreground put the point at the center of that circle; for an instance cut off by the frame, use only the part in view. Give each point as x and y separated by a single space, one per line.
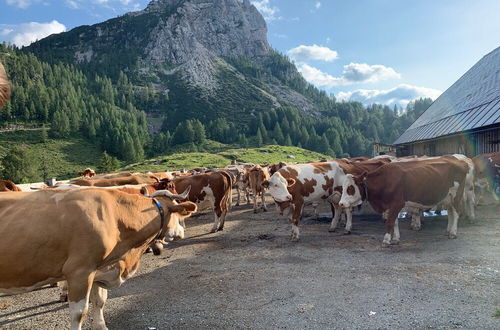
97 237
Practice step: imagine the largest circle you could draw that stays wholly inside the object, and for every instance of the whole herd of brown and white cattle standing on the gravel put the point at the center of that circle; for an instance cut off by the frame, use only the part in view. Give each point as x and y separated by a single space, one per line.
91 232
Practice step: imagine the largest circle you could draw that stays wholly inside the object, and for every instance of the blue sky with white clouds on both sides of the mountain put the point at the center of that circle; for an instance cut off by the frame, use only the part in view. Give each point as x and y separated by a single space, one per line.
386 51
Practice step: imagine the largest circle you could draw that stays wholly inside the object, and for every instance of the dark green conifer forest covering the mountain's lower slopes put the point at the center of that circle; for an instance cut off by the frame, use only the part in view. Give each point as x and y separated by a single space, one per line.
110 113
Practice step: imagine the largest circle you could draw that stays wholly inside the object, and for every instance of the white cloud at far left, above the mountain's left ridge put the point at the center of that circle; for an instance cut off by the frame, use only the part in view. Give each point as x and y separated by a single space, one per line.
26 33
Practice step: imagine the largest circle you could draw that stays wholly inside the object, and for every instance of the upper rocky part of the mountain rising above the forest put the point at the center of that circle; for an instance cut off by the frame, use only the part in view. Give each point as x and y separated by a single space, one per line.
209 59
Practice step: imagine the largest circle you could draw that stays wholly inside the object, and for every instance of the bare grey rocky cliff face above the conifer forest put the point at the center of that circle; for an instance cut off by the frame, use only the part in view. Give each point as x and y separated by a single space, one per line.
191 39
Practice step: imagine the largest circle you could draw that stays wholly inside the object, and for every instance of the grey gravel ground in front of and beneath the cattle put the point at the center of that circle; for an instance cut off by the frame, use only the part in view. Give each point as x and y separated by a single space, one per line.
252 276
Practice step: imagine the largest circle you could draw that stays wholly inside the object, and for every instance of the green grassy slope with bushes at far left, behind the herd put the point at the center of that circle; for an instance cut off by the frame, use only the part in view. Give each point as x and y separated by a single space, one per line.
63 158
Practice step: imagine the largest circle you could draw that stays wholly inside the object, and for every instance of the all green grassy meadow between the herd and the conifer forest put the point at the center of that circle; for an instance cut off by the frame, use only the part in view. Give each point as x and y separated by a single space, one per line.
65 158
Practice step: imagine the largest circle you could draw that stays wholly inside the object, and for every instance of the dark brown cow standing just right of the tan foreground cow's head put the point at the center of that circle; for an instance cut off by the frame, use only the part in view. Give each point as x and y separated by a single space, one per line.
212 189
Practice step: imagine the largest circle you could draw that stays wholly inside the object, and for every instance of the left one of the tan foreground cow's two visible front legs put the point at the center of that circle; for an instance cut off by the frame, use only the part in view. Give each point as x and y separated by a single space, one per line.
79 286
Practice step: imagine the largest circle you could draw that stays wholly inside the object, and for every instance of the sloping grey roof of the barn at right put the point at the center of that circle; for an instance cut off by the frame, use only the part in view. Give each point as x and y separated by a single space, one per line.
473 101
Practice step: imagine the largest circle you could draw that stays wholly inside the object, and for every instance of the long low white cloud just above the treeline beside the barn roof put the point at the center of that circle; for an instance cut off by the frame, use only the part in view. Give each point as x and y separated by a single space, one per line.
400 95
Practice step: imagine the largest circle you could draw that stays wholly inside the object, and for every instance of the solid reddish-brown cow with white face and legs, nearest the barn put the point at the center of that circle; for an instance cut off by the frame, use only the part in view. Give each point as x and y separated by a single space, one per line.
419 184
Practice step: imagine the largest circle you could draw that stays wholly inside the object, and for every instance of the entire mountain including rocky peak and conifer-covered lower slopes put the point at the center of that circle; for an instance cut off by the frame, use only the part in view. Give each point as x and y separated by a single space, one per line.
177 72
